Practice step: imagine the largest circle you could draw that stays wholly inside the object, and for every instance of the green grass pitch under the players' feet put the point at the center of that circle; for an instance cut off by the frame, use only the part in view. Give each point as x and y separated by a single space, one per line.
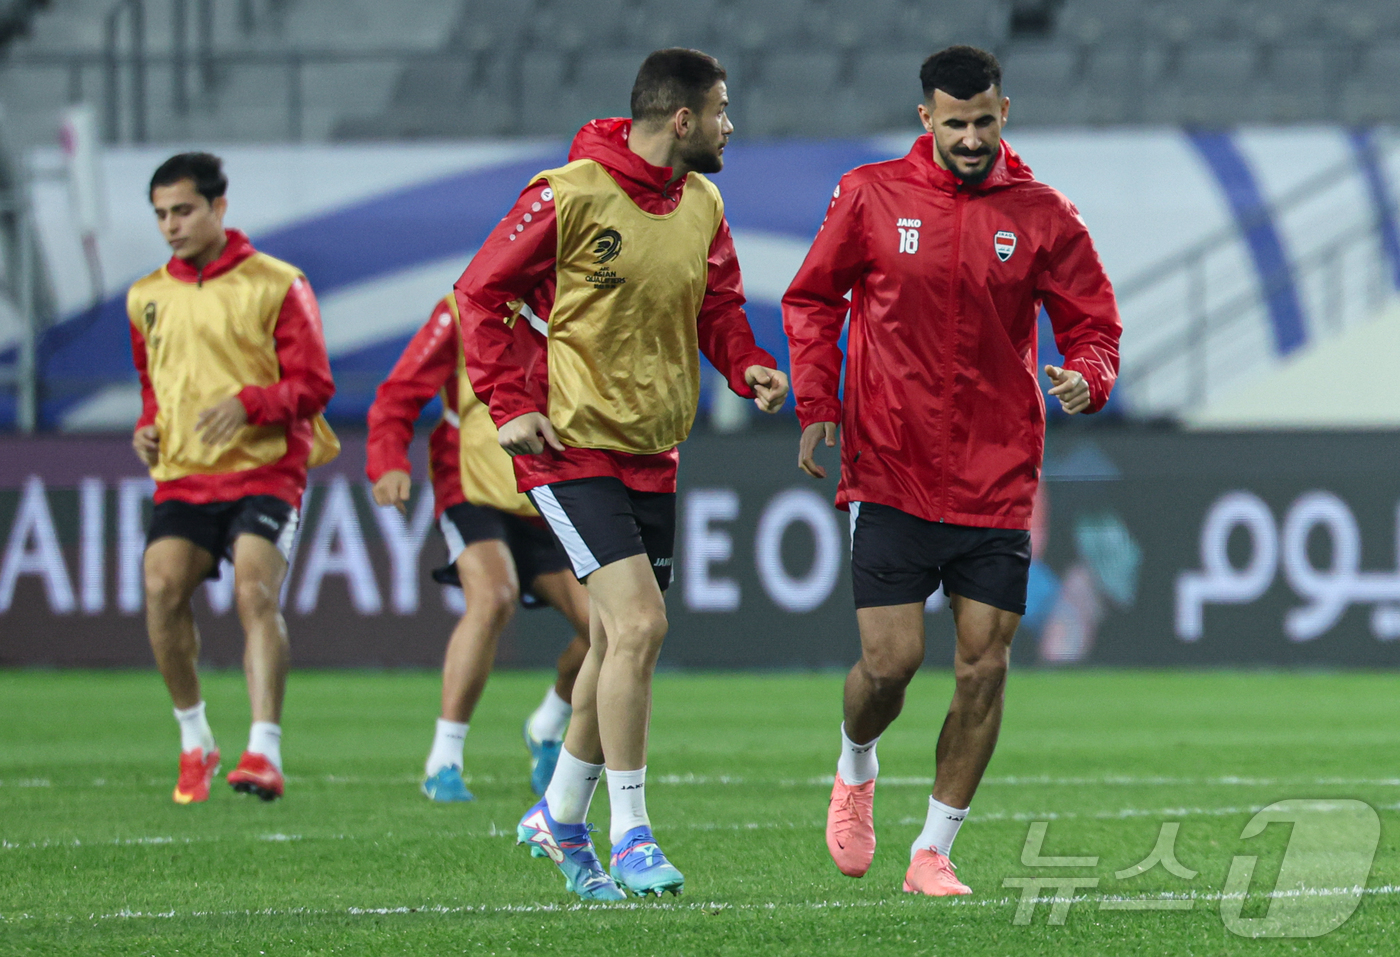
97 860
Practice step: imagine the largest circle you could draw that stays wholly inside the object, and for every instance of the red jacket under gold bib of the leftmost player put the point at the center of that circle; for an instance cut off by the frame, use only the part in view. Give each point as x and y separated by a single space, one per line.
300 395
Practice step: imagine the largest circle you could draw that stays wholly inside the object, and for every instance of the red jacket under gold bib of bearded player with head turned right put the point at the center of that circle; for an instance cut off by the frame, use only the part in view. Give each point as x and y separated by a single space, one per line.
517 262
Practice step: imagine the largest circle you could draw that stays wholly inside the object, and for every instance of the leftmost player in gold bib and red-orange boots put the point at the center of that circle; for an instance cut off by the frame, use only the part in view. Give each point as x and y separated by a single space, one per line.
234 376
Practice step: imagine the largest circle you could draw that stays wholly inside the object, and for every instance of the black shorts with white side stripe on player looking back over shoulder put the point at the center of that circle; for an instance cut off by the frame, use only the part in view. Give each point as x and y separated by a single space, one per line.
601 521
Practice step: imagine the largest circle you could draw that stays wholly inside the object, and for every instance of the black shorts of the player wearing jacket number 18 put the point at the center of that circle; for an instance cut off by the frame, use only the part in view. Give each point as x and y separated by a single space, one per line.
899 559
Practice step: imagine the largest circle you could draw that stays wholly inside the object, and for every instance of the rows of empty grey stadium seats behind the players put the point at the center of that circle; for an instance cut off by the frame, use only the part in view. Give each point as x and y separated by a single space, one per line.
355 69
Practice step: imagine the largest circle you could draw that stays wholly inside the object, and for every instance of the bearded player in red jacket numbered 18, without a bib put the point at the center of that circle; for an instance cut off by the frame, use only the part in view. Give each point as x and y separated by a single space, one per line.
947 257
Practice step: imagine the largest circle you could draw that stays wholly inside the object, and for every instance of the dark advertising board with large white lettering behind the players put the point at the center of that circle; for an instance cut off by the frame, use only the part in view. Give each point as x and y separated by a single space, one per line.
1151 549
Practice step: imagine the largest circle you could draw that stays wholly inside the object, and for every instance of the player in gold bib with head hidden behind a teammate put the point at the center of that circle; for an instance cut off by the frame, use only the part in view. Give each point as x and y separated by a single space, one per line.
499 549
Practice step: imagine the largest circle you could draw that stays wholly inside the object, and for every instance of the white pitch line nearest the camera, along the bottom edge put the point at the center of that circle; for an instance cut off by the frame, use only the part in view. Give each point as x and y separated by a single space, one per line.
712 907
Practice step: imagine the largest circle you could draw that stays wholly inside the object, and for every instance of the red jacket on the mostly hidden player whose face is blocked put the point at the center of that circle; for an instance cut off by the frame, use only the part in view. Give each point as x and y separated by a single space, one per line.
426 369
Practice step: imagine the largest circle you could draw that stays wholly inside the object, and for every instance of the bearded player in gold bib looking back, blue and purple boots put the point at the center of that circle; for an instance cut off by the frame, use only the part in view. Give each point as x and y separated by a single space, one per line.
636 240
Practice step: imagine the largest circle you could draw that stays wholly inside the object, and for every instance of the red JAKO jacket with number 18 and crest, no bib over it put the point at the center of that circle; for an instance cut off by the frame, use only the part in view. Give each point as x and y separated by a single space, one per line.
943 415
